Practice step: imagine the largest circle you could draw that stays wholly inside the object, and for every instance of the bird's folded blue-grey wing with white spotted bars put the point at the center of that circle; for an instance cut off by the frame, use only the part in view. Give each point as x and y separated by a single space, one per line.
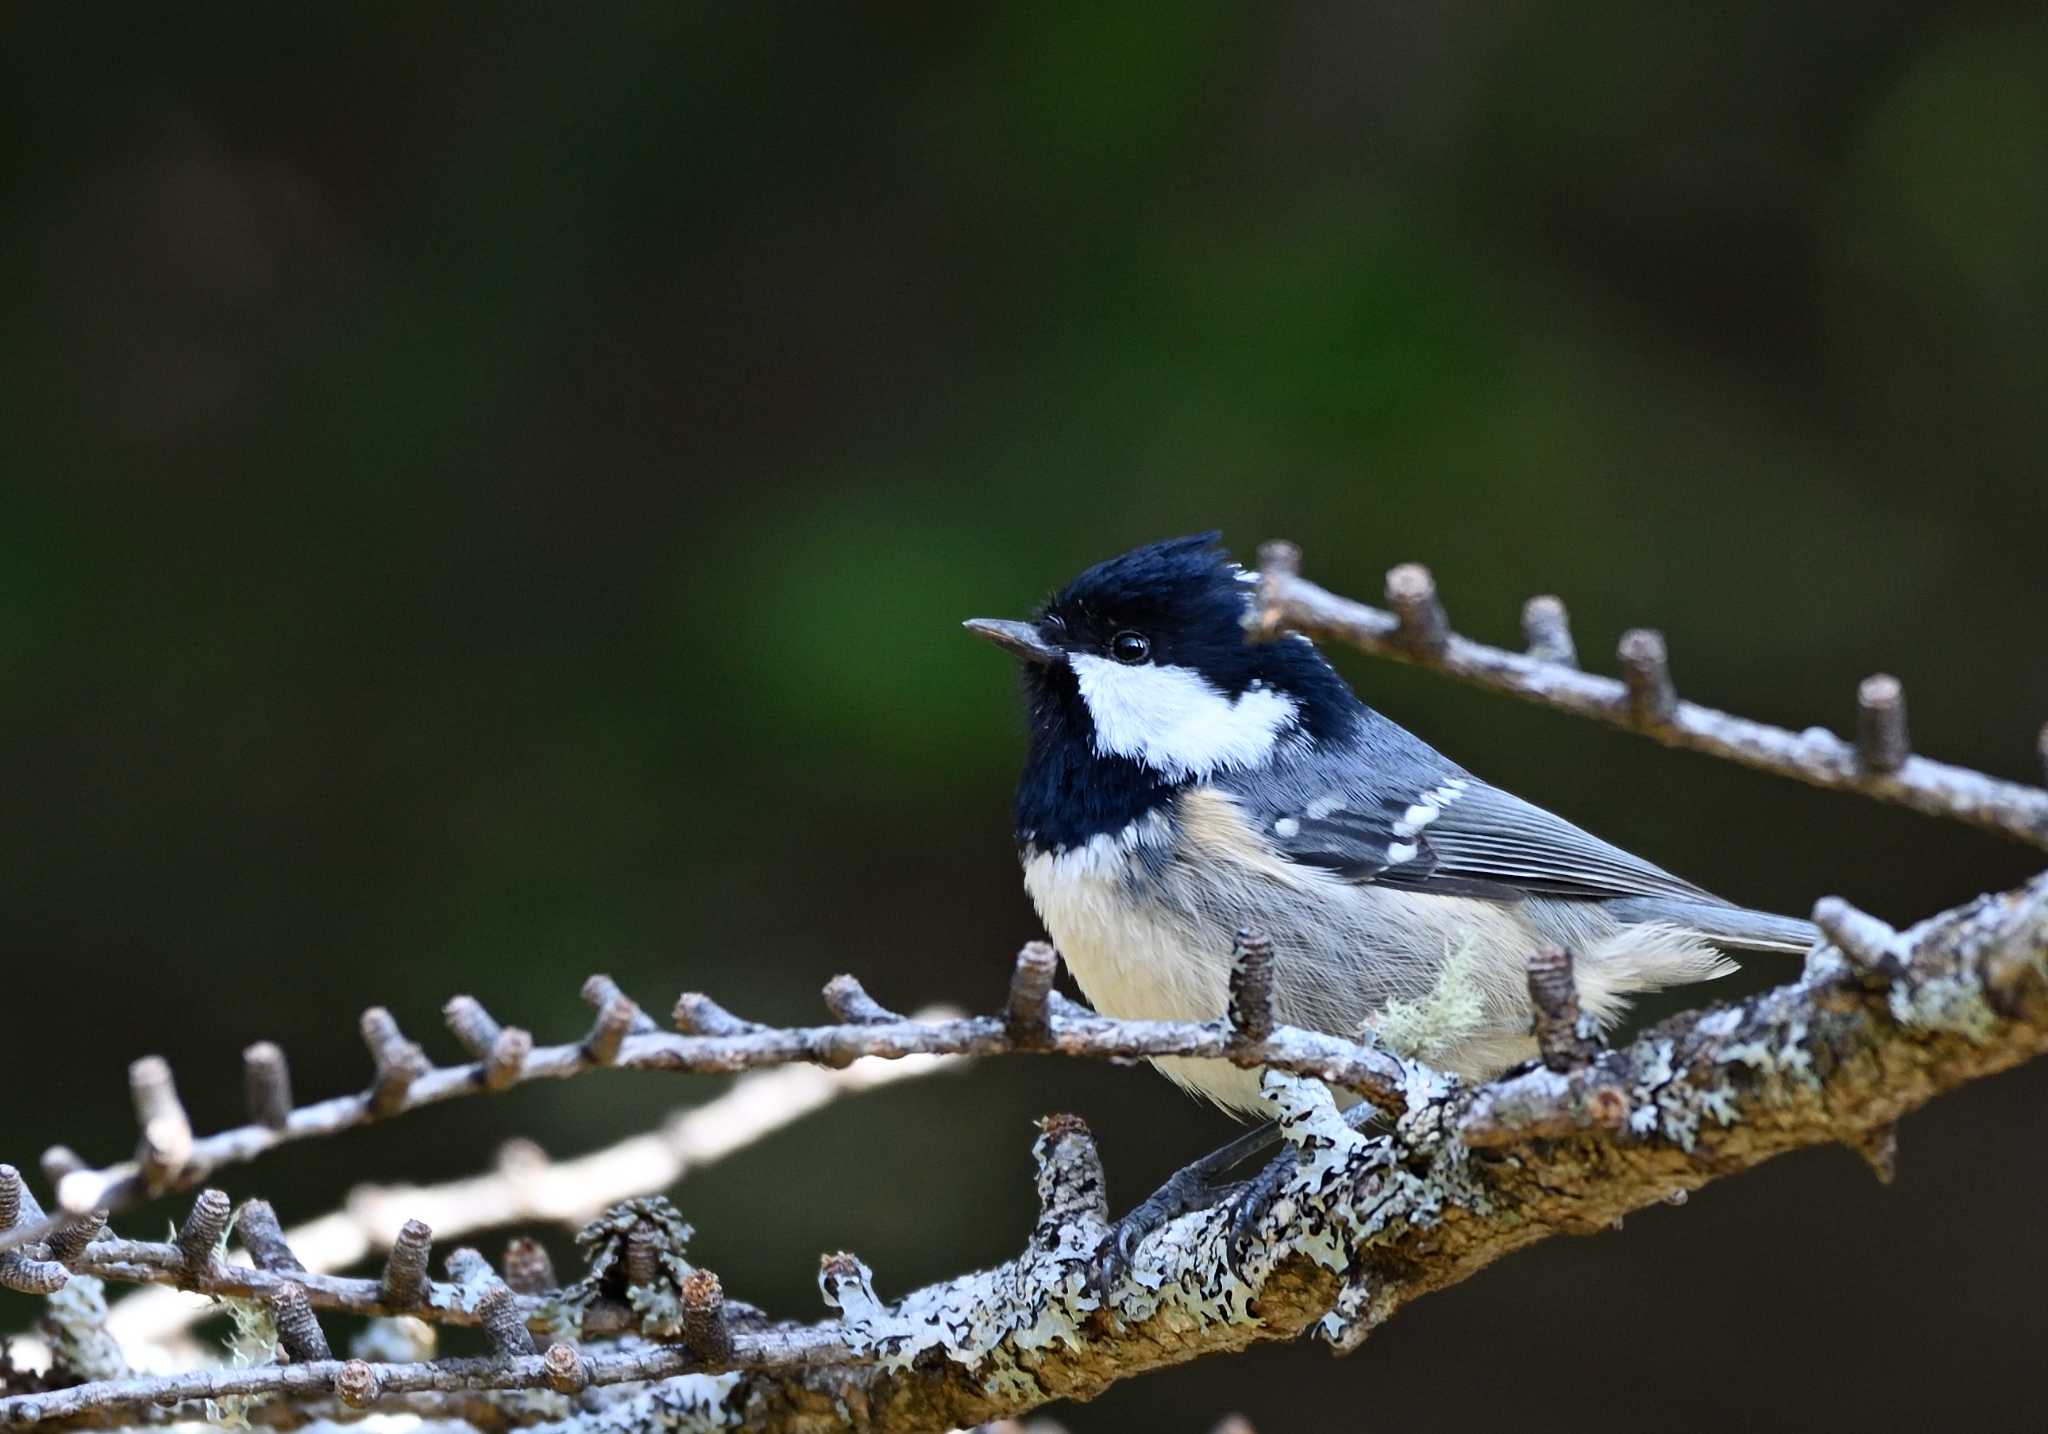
1463 837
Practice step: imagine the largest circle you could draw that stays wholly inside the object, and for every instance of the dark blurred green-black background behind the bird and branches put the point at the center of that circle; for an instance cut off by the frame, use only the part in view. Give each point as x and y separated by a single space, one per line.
493 495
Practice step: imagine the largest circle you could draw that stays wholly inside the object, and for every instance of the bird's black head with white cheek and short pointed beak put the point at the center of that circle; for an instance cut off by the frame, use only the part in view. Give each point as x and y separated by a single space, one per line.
1144 663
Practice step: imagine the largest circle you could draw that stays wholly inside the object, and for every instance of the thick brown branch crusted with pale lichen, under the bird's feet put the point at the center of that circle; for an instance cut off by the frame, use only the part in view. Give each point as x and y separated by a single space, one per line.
1357 1226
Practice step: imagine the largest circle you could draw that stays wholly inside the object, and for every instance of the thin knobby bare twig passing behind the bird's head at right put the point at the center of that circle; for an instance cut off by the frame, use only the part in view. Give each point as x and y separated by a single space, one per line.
1877 765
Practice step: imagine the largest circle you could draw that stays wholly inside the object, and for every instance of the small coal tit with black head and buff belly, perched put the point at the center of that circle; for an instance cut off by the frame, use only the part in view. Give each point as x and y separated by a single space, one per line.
1185 782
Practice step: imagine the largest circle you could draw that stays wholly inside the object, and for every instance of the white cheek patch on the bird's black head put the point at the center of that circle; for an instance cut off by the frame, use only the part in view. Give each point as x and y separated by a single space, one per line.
1175 720
